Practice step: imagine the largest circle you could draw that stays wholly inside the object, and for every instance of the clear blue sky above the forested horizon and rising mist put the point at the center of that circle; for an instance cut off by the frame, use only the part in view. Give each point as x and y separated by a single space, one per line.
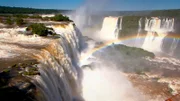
107 4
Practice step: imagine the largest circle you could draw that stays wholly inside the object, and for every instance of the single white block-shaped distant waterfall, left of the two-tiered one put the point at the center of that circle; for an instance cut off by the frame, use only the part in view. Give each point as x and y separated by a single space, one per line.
111 27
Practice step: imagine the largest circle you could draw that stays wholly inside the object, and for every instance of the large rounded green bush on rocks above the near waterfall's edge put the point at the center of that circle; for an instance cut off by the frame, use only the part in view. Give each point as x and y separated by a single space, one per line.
40 29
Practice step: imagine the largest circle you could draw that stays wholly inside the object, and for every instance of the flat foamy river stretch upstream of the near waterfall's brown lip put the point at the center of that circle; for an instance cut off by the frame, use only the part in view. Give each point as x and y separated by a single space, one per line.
14 44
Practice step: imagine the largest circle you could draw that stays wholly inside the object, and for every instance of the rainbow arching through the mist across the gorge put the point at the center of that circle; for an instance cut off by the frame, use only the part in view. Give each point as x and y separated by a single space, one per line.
120 40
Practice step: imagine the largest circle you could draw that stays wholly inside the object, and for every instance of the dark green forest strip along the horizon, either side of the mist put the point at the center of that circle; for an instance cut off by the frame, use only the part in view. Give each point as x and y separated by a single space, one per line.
21 10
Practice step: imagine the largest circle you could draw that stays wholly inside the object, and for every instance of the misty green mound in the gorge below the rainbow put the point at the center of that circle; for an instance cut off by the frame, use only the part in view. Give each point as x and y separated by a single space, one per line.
129 59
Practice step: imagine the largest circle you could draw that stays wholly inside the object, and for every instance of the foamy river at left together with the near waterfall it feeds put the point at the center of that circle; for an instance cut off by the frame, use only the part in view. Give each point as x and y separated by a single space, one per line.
60 78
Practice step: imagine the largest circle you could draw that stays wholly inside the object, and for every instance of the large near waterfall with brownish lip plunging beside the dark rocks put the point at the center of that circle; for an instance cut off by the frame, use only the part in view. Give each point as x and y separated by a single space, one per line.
60 78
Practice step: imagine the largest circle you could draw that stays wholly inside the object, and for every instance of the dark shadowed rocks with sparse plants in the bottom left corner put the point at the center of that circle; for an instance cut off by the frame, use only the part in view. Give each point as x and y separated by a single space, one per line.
15 82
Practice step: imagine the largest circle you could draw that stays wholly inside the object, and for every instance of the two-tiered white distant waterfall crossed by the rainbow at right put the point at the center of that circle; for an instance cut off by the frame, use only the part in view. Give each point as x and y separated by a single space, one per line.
157 30
